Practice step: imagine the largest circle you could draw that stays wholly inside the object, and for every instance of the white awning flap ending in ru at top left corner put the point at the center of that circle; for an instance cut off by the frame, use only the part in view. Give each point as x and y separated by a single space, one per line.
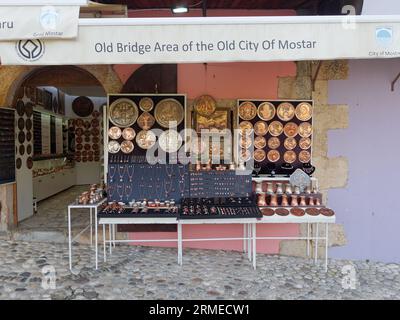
38 22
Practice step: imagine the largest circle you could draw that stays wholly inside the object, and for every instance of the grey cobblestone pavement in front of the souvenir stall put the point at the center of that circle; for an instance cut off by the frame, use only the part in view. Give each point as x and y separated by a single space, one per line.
152 273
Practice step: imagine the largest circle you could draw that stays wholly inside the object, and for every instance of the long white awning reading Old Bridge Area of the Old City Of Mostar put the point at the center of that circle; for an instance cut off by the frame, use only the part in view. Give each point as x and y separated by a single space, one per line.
185 40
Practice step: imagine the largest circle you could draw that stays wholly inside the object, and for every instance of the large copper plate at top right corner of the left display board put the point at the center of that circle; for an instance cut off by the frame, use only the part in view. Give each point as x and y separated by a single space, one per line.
169 113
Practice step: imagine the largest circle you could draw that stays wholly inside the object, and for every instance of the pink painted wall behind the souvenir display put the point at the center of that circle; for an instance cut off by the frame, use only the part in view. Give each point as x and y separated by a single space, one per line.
224 81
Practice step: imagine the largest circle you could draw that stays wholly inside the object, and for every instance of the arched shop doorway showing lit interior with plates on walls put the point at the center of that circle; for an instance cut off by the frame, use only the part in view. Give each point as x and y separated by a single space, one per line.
59 148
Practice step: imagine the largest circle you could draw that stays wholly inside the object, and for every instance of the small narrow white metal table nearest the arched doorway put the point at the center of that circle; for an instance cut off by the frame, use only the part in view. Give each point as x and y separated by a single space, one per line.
93 209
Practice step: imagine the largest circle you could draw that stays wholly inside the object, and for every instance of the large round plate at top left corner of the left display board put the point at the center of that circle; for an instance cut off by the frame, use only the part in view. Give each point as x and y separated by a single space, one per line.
123 112
